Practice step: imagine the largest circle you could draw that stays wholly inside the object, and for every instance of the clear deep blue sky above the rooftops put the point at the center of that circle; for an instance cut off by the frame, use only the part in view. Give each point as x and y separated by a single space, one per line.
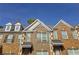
50 13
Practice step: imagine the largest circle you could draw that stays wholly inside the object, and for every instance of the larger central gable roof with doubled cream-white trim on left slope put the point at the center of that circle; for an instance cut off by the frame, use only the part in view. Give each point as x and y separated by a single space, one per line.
35 24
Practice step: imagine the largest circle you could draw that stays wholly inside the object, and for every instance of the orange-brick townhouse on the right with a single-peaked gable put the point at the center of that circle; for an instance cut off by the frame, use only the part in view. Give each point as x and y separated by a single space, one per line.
65 39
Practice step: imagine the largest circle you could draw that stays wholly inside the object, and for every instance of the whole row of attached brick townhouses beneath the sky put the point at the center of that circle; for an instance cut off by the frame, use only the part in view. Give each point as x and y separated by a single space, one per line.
39 39
